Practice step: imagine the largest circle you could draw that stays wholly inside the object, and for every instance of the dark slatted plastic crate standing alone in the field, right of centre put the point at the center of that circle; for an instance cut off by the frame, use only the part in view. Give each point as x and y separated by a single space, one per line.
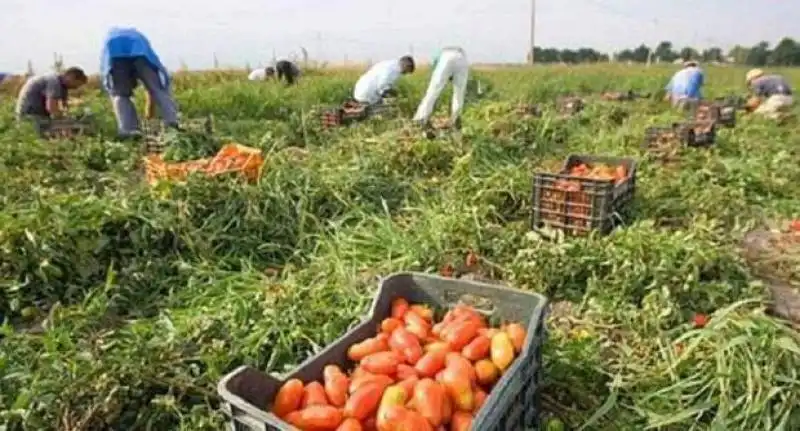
593 204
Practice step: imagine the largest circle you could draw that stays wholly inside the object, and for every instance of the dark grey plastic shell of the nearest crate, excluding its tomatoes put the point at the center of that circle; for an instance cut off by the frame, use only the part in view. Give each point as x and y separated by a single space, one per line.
513 404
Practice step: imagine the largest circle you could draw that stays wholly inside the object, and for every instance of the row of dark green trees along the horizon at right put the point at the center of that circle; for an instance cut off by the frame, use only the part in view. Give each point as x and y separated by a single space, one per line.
785 53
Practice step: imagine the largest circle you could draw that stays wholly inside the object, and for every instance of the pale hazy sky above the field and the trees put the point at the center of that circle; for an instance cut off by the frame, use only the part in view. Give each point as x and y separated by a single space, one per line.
250 32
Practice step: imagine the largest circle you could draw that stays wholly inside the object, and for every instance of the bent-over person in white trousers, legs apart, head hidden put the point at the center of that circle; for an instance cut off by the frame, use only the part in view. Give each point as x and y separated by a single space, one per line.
450 64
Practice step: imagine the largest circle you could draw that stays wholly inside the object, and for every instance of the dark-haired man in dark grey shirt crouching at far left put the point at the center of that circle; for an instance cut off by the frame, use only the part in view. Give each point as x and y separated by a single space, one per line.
44 97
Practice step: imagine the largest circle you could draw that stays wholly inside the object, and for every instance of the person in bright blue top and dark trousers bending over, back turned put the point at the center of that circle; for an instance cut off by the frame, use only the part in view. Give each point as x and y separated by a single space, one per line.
128 58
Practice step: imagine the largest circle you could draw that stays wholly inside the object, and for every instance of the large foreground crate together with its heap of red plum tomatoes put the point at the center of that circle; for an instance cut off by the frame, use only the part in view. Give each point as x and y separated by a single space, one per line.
434 353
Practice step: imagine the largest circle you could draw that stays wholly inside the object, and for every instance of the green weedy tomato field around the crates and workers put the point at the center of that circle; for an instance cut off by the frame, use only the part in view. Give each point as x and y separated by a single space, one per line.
149 295
